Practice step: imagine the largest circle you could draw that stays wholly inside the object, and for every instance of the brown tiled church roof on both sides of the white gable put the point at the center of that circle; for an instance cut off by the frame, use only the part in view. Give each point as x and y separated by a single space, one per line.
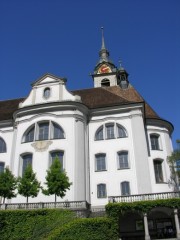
92 98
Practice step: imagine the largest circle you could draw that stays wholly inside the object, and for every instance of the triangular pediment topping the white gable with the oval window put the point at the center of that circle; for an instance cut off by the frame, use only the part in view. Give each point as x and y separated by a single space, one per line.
48 79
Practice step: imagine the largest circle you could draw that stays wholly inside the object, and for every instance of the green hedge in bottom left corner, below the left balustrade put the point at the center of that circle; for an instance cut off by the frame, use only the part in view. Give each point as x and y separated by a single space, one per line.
32 224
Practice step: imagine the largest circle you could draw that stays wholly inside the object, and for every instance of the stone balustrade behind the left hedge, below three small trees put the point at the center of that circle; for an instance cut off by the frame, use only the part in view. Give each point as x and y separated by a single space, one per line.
74 205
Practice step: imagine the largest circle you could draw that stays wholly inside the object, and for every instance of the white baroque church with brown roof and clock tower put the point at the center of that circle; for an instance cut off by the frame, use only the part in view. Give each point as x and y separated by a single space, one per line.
108 139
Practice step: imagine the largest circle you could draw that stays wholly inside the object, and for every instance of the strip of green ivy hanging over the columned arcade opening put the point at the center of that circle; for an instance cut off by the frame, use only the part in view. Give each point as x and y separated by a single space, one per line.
116 209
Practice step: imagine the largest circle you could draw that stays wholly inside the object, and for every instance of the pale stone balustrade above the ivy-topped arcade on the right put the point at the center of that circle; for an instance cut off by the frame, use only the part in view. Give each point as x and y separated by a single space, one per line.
143 197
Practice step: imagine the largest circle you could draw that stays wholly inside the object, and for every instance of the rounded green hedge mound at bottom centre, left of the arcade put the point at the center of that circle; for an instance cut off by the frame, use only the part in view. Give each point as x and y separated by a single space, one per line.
86 229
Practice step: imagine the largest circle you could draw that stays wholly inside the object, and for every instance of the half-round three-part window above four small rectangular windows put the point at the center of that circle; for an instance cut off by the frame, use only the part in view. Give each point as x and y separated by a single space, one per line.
110 131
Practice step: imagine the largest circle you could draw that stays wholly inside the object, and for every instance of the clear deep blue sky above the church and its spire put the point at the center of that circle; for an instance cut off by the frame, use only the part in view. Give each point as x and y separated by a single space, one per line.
63 37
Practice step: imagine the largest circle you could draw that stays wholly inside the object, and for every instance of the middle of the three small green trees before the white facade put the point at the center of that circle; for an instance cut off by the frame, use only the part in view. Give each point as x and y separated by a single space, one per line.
28 185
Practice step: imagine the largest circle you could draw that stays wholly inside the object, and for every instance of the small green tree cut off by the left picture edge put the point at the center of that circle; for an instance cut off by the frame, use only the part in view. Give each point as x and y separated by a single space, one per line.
8 184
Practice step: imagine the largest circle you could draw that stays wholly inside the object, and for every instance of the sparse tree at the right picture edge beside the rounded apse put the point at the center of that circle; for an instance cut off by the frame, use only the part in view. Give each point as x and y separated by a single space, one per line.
174 163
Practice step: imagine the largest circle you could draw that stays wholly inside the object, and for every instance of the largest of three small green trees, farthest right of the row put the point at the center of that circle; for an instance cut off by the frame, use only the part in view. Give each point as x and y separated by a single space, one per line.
56 180
